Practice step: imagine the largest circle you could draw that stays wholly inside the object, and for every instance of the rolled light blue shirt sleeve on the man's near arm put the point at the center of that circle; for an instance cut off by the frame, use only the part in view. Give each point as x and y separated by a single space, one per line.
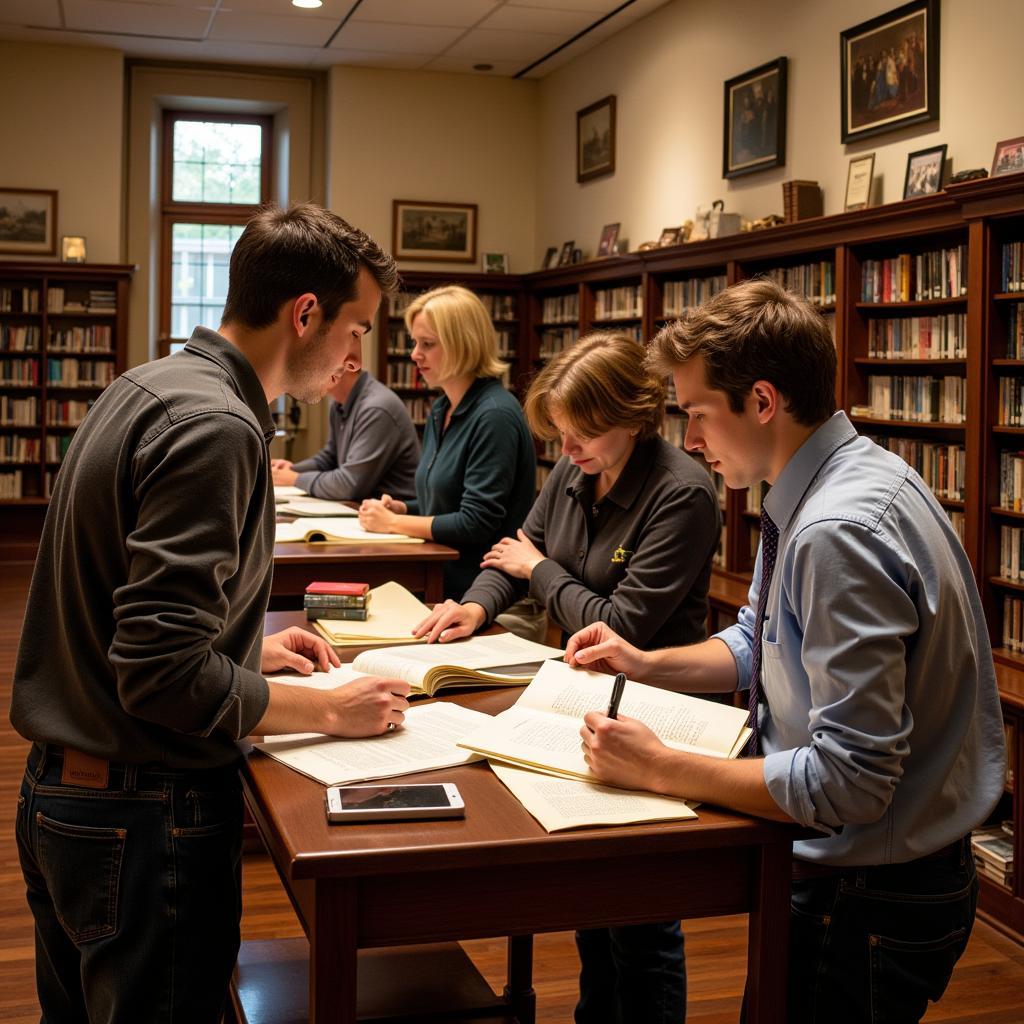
849 589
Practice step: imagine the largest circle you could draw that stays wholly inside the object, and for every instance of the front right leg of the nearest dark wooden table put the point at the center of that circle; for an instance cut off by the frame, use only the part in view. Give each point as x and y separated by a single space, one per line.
769 937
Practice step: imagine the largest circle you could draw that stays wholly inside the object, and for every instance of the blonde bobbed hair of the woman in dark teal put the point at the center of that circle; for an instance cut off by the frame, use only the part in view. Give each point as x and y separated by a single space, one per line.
470 346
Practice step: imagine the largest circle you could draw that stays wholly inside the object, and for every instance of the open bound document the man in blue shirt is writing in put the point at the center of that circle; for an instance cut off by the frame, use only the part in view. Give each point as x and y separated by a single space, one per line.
542 729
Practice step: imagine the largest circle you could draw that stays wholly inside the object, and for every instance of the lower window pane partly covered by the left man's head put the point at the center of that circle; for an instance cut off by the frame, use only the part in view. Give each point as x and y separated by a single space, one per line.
200 258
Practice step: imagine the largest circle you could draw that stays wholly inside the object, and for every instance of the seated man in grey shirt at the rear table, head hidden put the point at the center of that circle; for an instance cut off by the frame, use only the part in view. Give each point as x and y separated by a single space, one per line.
372 449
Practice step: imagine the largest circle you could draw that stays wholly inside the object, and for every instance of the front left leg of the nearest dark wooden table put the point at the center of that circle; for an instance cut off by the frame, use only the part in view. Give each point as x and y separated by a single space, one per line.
333 948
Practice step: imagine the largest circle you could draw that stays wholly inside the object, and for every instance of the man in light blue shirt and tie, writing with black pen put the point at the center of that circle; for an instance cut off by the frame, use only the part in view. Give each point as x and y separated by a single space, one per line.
866 654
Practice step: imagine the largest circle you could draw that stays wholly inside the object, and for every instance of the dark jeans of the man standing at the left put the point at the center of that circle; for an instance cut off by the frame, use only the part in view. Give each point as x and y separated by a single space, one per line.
136 890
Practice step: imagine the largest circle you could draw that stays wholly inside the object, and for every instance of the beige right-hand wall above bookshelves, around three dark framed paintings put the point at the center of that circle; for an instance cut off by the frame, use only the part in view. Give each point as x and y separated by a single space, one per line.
668 73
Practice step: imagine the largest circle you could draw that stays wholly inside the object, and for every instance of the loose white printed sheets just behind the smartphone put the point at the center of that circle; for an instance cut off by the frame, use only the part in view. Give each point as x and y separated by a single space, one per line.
426 742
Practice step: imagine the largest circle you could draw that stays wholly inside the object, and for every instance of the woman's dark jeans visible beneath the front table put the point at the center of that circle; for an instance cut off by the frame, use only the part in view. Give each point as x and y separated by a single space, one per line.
634 974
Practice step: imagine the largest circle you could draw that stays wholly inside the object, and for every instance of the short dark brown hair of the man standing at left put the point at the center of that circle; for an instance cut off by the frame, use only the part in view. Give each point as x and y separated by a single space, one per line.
284 253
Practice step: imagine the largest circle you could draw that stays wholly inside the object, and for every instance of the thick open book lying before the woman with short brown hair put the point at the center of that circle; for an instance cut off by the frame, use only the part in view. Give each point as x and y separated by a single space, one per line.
496 661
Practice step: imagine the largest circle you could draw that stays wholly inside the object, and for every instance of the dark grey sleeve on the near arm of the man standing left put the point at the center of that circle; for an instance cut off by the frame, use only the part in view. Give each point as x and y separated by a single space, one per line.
173 608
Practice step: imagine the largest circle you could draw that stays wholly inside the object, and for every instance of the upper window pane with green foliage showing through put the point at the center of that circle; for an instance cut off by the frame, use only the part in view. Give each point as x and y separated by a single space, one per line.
217 162
